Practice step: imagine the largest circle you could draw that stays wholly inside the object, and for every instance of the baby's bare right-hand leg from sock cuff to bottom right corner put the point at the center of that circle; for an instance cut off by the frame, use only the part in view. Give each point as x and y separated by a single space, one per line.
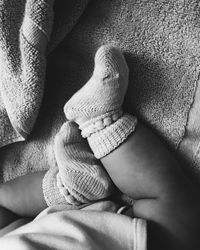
147 171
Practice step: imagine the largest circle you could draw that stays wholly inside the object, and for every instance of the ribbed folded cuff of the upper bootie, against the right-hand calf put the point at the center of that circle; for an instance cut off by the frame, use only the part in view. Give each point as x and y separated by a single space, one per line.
109 138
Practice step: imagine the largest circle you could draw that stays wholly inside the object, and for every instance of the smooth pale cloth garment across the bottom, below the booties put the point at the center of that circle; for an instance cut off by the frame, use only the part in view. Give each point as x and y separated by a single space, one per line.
90 228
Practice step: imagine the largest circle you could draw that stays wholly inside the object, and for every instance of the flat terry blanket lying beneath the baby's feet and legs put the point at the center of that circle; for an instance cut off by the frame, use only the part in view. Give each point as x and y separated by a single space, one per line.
161 43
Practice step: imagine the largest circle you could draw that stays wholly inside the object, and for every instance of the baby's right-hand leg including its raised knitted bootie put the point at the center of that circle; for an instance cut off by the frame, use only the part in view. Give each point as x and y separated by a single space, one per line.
139 163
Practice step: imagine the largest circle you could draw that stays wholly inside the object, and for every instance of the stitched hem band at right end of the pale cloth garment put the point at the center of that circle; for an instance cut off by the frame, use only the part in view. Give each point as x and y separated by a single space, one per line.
139 234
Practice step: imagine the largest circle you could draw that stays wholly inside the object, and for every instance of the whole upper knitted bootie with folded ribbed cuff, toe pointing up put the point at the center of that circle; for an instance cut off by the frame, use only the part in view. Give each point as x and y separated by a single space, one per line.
97 106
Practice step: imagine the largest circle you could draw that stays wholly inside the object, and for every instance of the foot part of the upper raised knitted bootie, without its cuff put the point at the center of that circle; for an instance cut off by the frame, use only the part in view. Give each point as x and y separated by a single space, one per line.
105 90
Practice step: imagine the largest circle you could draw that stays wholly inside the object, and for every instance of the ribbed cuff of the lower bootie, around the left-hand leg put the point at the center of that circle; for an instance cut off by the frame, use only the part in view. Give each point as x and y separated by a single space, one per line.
51 192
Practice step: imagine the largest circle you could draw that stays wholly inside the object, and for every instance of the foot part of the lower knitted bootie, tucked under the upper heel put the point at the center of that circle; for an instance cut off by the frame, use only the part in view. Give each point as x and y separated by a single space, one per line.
81 177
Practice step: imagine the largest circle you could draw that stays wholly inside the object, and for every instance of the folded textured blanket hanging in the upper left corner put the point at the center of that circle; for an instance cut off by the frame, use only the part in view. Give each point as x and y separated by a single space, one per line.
25 30
